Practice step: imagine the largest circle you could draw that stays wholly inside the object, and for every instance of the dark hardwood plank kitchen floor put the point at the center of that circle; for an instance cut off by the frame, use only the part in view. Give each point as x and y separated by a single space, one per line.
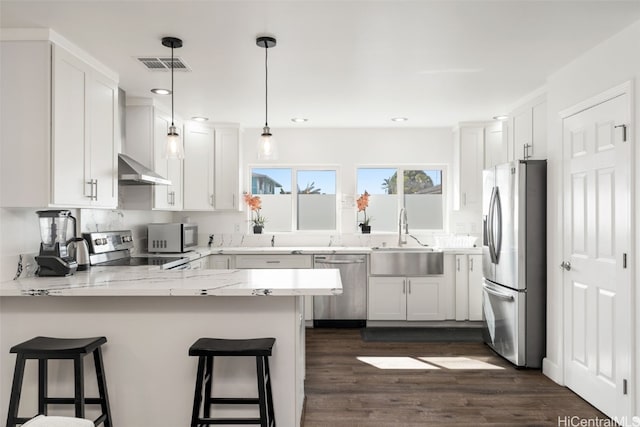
342 391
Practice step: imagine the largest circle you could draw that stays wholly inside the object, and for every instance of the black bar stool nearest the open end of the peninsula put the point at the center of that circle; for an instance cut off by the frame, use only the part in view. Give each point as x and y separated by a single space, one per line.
206 349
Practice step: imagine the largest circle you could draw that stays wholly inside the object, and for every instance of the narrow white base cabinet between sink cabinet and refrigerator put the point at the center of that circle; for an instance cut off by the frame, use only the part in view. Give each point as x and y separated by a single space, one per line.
468 286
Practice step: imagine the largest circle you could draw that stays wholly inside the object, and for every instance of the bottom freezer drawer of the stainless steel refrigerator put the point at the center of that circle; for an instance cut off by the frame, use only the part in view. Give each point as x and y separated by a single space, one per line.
504 321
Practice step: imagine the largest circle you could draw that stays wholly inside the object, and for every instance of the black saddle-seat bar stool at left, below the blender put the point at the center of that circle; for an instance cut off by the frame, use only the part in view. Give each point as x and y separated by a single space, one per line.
45 348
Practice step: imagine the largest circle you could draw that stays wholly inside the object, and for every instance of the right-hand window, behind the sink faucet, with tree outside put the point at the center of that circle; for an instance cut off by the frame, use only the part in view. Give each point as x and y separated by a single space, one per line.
418 190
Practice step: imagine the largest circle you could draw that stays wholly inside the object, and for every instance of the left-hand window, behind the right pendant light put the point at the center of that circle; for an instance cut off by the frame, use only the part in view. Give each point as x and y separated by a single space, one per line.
315 205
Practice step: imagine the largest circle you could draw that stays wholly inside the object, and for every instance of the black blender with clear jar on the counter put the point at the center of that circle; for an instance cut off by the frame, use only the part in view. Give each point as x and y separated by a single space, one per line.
54 258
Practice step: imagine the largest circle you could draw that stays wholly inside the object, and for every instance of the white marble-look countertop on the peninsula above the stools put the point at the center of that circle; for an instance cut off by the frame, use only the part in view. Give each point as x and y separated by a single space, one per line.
152 281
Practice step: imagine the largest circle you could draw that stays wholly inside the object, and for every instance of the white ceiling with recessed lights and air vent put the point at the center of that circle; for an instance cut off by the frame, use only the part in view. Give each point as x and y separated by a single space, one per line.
338 63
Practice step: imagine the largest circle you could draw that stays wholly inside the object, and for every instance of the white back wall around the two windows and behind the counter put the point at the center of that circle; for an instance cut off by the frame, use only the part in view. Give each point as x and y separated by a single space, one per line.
347 149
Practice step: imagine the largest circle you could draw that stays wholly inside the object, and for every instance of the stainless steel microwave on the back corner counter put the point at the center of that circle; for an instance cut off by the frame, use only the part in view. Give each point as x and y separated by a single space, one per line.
172 237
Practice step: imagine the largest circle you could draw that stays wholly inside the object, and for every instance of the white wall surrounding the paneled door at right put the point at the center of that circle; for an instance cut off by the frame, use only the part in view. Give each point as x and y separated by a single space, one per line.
609 64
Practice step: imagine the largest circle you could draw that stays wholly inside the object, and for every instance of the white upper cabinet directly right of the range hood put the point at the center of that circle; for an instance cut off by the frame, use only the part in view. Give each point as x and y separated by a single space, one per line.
146 135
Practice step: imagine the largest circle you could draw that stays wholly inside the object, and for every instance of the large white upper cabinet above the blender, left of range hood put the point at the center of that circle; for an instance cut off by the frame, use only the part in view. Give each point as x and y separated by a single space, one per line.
60 140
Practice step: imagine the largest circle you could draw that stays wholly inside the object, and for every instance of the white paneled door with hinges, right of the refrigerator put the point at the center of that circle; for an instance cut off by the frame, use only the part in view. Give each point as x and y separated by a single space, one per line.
597 303
